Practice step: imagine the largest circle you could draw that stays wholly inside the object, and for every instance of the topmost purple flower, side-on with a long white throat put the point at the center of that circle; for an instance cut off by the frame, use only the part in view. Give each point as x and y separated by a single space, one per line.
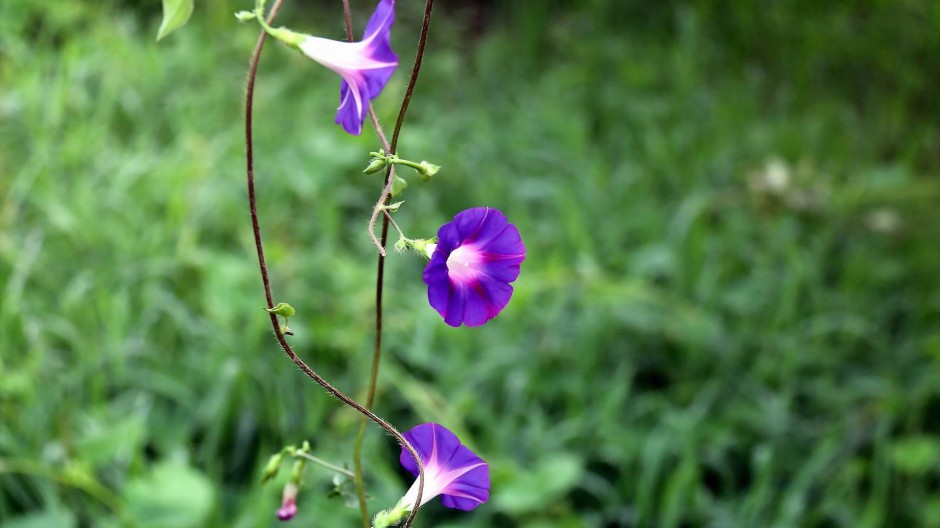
365 66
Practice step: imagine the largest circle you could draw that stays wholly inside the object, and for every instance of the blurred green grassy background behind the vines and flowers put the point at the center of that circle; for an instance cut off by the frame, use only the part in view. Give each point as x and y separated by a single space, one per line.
729 314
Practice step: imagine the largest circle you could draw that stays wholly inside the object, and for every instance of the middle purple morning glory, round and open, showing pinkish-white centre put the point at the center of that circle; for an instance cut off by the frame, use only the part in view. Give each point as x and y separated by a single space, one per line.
476 258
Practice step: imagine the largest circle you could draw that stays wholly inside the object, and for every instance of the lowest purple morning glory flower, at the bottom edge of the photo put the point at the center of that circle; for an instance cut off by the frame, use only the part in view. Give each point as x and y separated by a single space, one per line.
451 470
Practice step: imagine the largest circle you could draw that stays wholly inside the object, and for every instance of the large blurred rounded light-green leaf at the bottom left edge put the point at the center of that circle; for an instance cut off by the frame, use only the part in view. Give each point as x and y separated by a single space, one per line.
170 496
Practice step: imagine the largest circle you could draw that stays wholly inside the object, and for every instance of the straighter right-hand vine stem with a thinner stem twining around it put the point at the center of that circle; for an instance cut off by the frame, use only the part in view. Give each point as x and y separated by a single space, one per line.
381 244
